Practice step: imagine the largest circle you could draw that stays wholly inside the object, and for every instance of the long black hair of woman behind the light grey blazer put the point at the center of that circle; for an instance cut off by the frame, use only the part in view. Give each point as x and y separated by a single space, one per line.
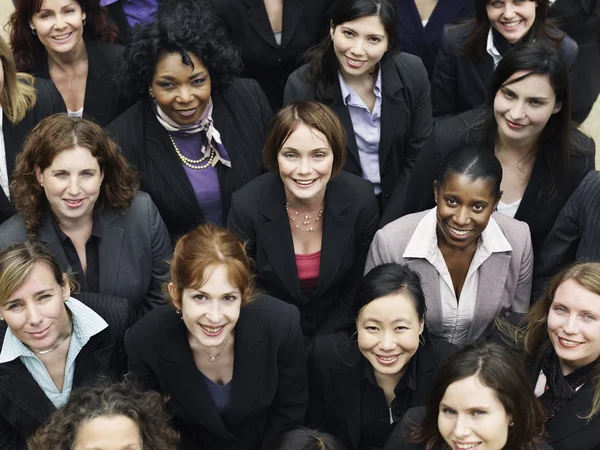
557 136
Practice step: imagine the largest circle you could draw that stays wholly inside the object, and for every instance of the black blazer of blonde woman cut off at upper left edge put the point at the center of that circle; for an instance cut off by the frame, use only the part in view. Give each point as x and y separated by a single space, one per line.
48 102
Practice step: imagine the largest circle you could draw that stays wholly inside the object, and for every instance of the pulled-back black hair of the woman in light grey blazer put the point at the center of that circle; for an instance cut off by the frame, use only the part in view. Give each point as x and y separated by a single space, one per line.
475 161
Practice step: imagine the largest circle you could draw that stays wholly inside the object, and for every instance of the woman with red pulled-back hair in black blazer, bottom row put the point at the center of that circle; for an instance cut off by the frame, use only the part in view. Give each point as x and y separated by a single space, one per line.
230 361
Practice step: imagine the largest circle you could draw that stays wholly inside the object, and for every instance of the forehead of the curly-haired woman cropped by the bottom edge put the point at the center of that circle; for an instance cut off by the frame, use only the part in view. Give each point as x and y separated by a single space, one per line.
108 433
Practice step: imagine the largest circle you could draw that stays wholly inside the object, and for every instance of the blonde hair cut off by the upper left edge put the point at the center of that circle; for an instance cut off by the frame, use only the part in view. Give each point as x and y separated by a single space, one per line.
18 95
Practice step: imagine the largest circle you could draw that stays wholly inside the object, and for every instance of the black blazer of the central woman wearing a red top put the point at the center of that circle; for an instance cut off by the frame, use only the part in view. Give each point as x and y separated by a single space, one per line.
350 218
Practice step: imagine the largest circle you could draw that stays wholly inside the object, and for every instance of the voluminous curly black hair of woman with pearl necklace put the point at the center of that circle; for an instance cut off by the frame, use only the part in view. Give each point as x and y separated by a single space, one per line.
190 27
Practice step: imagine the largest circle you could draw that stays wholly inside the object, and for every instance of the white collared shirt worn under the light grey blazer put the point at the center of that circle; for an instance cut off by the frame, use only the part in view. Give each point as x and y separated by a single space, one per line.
457 314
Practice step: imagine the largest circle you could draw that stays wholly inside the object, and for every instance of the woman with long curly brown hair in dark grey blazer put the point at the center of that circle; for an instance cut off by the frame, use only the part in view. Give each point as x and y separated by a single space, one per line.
74 192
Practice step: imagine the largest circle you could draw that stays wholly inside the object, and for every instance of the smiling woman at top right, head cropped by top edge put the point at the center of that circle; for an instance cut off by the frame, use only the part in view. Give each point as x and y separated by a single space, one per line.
470 51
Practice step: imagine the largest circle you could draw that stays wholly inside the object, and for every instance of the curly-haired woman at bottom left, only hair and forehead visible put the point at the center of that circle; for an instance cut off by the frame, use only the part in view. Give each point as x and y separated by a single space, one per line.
108 416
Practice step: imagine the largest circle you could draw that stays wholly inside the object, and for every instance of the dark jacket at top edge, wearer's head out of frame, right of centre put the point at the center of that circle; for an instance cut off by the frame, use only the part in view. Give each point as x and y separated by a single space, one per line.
425 41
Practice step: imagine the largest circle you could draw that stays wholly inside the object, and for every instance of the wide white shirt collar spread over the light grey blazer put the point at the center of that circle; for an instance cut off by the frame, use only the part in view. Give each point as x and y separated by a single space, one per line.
424 244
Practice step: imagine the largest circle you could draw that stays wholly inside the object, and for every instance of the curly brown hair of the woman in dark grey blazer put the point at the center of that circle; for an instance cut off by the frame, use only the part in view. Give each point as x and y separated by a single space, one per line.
54 135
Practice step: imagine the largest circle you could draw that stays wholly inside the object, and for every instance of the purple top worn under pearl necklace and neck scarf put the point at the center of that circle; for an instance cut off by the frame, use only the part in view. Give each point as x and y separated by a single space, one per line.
205 182
